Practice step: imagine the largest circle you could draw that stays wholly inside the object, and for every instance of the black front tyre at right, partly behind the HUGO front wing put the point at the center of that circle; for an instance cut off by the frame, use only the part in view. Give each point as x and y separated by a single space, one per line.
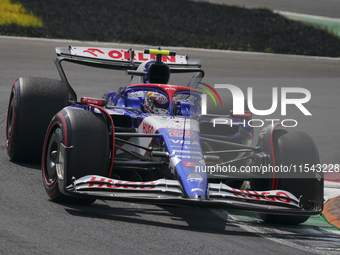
296 148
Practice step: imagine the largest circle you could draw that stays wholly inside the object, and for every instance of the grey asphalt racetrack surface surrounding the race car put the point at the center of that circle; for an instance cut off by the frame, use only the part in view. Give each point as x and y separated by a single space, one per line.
32 224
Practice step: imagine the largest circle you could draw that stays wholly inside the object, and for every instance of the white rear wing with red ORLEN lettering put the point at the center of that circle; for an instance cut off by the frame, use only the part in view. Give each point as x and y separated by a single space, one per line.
120 59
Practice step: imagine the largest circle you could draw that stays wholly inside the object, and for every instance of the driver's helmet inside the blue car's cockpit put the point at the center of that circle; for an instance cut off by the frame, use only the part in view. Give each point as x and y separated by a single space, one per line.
156 102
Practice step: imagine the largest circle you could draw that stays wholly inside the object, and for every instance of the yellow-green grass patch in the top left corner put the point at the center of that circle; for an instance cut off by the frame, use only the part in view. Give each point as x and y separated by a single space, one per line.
16 14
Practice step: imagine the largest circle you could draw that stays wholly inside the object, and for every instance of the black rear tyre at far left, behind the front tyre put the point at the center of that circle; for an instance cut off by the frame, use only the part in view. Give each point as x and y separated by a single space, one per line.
33 102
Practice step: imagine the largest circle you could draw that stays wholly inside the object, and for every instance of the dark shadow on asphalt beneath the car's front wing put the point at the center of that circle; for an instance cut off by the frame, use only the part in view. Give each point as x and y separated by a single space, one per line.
181 218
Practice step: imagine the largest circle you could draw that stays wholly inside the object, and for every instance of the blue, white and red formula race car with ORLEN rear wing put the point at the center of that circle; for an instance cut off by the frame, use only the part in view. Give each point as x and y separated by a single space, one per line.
152 142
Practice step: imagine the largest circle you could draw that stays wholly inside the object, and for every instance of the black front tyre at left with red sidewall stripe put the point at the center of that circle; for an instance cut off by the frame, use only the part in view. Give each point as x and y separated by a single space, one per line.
87 134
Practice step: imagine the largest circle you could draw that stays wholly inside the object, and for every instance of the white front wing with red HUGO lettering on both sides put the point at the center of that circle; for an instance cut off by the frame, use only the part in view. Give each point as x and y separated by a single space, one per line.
169 192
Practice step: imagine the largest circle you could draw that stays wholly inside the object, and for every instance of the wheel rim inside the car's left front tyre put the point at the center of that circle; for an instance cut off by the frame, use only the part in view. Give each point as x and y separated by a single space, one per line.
51 155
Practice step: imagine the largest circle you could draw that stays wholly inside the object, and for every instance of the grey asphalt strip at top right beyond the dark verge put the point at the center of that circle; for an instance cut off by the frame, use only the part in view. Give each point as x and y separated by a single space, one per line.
327 8
